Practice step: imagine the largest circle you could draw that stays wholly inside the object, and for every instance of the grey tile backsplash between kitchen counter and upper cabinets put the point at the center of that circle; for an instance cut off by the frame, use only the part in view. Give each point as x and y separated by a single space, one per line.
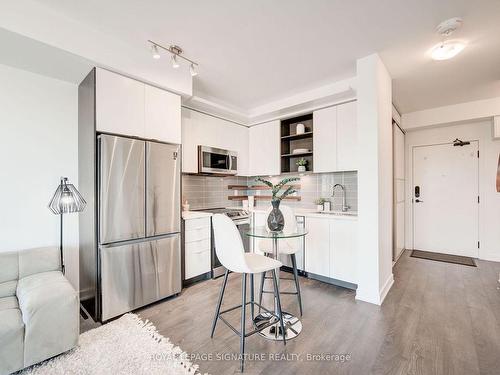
210 192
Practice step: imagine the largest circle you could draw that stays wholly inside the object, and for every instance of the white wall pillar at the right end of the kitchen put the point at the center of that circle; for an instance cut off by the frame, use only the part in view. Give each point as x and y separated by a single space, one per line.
374 261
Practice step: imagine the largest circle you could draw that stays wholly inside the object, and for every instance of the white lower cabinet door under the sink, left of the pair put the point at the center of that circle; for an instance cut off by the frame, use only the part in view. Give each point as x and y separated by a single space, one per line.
317 251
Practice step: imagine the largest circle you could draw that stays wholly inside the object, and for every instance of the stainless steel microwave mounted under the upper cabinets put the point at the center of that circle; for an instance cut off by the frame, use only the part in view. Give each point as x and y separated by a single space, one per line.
217 161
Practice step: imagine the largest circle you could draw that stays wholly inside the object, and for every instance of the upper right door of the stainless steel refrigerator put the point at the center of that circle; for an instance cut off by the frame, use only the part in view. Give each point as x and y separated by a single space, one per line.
163 188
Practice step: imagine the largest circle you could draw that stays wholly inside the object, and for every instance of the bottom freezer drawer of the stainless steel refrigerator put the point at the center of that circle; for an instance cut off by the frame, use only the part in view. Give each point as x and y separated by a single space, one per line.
137 274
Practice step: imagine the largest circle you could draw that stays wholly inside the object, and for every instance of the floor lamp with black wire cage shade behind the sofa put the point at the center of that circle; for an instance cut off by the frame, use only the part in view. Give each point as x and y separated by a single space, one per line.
66 199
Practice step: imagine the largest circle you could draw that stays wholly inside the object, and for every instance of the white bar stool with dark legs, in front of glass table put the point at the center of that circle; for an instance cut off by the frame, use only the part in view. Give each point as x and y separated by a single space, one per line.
231 254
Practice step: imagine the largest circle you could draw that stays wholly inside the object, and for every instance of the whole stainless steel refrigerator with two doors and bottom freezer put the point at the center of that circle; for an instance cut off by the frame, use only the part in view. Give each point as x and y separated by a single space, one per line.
139 224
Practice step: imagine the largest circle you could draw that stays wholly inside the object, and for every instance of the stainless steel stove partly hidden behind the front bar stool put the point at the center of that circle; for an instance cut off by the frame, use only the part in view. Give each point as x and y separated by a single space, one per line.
242 220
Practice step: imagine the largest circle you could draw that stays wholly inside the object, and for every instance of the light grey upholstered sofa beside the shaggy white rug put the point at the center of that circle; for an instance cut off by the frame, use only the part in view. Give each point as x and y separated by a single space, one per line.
39 309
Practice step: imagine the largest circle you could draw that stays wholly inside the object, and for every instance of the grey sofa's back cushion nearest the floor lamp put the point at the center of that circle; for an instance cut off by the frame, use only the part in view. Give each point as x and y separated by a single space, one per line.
40 259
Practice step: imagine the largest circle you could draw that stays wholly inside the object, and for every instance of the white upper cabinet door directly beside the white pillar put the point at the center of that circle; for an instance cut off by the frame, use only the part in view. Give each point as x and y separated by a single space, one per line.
347 137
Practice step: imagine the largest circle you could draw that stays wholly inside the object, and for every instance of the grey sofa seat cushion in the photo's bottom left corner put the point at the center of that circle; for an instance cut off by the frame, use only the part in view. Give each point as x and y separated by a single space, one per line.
11 338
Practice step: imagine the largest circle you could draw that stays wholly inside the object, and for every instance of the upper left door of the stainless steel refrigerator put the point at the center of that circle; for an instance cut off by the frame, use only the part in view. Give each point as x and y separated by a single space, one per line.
121 189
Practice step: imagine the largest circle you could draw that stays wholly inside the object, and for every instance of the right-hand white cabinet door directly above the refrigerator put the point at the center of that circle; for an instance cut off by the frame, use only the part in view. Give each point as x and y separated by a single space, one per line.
162 113
